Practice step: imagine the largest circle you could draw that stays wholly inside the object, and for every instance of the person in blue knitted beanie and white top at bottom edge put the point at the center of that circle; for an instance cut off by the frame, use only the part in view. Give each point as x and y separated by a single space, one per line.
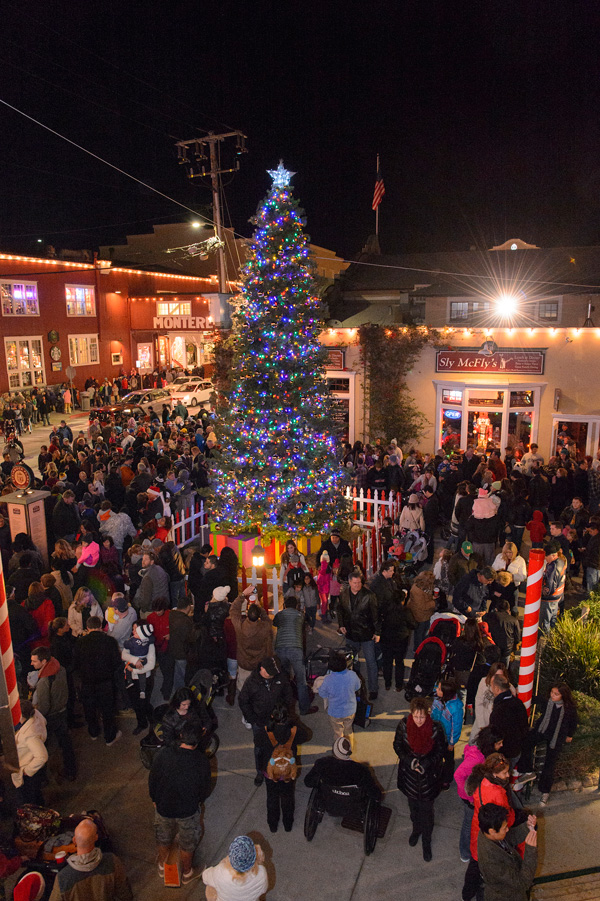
240 875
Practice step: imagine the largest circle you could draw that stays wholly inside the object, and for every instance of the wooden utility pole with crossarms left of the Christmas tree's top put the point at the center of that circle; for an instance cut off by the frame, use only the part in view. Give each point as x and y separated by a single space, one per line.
192 155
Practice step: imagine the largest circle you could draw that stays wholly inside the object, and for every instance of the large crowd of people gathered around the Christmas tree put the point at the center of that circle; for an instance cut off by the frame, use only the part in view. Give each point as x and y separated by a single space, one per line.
120 607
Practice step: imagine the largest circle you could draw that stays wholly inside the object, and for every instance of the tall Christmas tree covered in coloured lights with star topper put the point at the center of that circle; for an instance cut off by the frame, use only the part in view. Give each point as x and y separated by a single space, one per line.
279 470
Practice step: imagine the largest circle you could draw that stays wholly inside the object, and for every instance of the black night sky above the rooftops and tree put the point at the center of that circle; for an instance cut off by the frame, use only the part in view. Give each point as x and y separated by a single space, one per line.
486 116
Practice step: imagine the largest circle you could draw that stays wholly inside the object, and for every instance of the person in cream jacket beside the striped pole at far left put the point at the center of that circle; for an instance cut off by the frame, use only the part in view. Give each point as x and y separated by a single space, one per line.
30 736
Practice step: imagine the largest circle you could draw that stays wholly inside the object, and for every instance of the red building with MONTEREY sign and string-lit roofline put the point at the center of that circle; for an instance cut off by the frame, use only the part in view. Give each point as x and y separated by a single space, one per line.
98 319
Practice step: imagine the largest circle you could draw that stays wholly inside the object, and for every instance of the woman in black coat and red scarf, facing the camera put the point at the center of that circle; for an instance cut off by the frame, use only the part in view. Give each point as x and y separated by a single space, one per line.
420 743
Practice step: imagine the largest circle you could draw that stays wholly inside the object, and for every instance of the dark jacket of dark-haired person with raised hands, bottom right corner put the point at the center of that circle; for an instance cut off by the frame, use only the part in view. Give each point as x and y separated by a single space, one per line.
504 873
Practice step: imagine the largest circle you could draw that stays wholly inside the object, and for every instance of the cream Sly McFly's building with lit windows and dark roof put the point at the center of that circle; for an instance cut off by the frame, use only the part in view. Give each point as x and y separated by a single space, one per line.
514 344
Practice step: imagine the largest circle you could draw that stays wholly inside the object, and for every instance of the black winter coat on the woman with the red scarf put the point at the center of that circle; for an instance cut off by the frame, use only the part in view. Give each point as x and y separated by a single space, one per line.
419 777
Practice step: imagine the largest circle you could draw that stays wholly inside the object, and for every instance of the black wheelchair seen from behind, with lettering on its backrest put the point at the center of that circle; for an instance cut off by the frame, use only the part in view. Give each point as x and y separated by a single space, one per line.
344 801
